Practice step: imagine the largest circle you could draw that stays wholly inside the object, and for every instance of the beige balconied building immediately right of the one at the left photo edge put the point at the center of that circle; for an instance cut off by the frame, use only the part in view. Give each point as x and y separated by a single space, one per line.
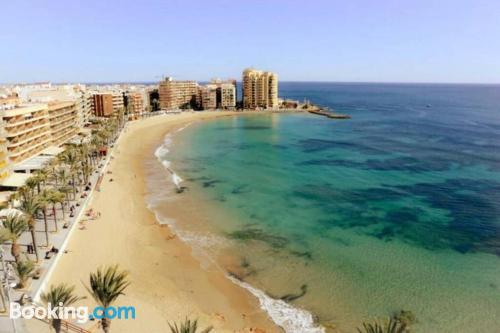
63 121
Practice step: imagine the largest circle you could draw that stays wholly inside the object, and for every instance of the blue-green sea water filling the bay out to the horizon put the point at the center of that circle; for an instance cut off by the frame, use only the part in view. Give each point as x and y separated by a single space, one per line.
351 220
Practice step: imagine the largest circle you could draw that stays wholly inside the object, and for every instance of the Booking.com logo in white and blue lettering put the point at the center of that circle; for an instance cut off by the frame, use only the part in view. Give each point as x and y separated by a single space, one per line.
81 313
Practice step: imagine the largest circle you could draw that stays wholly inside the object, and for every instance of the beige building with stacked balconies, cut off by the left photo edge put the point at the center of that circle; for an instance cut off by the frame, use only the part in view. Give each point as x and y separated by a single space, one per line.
27 131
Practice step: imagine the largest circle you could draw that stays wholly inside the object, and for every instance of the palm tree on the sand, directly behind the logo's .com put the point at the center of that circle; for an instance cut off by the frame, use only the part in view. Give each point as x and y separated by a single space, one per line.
106 285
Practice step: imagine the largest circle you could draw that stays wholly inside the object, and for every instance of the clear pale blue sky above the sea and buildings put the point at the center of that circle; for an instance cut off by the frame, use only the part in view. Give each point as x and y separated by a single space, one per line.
314 40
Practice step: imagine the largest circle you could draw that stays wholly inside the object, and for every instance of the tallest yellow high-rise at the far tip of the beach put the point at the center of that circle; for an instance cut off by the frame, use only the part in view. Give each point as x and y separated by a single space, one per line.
260 89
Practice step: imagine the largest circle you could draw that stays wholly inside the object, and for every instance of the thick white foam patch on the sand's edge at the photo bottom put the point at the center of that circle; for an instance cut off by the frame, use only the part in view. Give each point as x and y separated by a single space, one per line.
291 319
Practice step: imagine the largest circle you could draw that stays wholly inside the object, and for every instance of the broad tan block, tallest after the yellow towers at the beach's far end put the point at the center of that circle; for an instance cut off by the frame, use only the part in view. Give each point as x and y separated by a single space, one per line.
178 94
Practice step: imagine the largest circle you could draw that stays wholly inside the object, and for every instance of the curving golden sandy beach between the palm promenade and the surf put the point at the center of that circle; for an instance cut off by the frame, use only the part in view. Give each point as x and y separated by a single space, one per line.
167 282
